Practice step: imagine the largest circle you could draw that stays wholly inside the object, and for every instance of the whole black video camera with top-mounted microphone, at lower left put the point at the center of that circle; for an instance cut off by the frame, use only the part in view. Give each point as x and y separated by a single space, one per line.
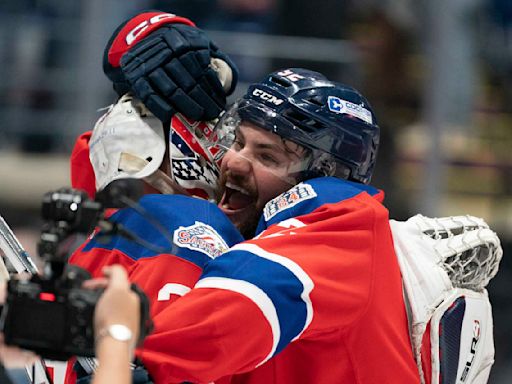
50 313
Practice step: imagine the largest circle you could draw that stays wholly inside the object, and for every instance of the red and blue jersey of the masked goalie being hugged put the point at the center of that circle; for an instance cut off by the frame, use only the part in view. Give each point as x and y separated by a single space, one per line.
172 237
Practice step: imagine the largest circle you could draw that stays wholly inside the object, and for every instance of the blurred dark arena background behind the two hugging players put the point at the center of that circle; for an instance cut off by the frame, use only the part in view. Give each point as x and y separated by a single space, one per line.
437 72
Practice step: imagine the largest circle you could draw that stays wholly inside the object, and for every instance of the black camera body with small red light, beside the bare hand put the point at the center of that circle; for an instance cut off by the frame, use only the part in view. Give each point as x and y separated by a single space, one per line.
54 318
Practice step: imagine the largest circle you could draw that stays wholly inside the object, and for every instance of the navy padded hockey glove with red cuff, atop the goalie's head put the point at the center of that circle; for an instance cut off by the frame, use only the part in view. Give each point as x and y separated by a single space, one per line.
170 65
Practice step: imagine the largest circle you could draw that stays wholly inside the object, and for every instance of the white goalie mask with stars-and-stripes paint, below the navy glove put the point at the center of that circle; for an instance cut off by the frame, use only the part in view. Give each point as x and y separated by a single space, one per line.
129 142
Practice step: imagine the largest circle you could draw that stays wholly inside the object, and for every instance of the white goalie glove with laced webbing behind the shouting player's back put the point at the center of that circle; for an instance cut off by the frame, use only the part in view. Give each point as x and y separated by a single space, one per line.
446 263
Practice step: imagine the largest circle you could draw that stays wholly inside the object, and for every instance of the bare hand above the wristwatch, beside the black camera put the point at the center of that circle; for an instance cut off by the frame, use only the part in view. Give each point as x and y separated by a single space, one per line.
118 304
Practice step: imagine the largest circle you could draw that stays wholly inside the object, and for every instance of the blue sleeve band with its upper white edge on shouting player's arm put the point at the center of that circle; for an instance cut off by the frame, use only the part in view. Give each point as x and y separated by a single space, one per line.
282 280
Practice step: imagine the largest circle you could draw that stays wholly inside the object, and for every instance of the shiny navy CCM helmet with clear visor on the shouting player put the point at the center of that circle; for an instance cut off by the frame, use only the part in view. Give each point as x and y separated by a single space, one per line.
334 121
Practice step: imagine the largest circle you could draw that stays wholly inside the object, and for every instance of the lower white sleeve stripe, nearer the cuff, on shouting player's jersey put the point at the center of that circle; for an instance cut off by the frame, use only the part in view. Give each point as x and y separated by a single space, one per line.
256 295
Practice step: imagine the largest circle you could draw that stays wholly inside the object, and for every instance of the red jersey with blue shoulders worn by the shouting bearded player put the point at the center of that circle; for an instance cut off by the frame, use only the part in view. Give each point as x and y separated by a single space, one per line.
315 298
